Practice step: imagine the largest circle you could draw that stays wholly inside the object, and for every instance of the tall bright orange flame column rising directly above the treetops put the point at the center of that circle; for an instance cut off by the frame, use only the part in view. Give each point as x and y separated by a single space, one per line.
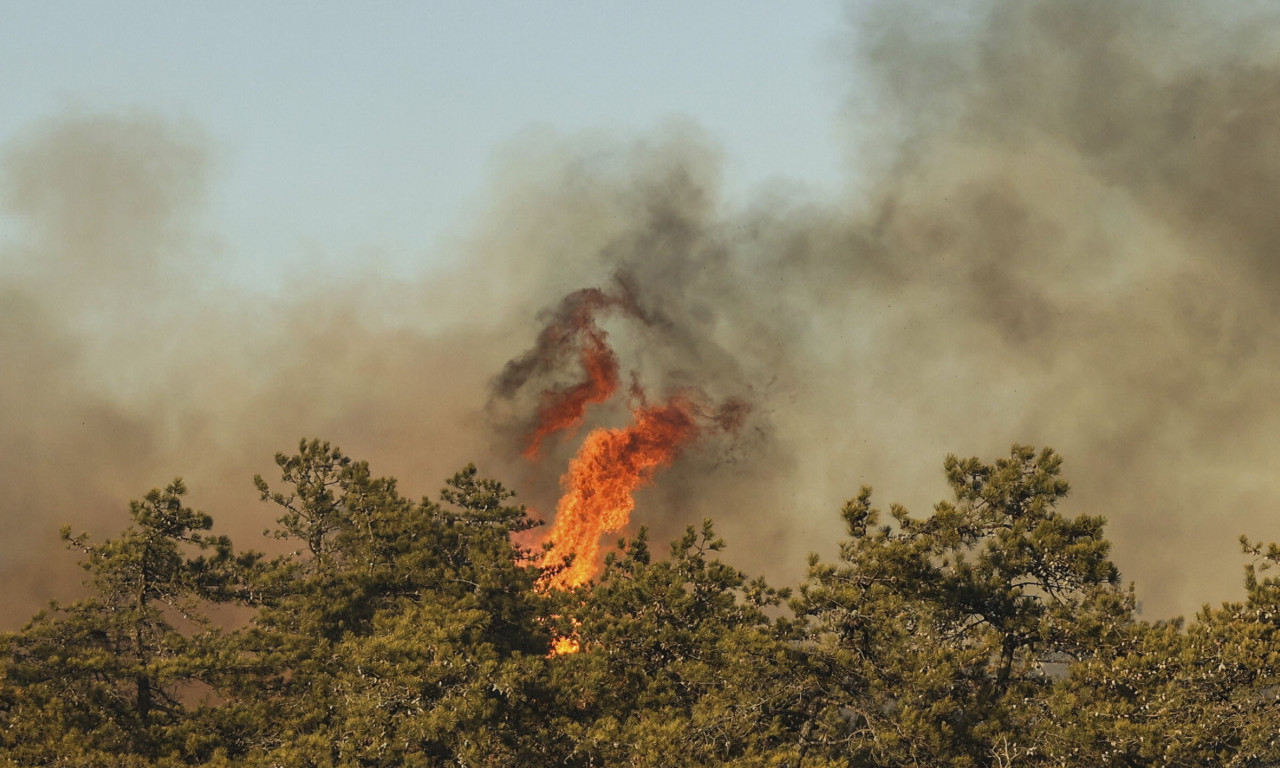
610 467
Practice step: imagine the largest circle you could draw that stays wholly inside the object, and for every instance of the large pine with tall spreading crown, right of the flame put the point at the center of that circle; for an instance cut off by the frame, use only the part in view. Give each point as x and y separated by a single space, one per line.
938 636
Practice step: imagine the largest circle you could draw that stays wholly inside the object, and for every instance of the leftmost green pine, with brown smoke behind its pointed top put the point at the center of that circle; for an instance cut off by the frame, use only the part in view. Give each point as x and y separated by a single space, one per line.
109 674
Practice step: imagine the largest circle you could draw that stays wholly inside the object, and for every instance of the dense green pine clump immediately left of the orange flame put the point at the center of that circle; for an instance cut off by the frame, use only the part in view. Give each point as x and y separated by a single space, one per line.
399 633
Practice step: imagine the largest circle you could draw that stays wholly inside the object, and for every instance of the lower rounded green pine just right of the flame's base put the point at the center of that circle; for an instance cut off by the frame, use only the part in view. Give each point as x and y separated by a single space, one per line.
679 665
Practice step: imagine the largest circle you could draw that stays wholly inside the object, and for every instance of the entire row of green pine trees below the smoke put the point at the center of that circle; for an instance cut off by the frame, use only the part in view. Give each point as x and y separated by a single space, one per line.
994 630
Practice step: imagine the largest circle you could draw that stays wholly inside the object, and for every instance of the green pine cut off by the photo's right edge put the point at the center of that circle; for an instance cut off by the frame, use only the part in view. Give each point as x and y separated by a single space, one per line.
1200 693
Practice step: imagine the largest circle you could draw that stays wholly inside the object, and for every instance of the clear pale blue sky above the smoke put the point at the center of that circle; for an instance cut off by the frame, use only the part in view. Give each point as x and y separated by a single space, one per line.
345 130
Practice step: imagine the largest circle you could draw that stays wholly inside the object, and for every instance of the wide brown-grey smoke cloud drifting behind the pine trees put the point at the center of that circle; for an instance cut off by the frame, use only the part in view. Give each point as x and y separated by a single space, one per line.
1062 230
